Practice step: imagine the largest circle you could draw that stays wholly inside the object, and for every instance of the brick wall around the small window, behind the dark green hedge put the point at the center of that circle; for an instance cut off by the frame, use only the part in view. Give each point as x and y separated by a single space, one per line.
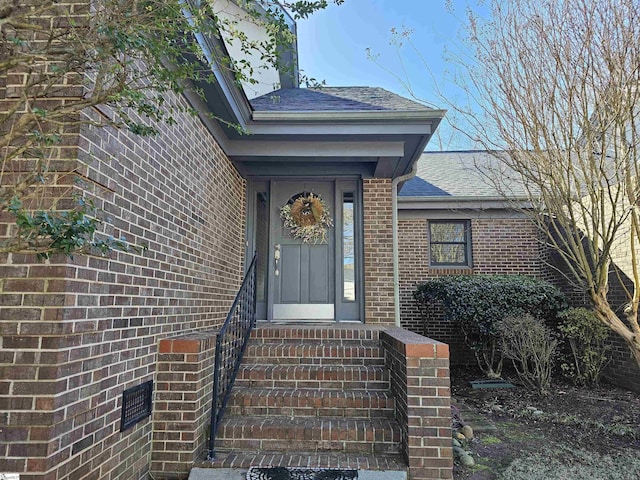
499 246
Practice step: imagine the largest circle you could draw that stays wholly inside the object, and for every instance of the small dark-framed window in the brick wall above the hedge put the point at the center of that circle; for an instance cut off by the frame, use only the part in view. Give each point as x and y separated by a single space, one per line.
449 243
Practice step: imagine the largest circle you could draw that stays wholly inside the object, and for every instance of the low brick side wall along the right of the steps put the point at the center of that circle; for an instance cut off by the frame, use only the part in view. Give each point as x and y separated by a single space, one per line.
420 383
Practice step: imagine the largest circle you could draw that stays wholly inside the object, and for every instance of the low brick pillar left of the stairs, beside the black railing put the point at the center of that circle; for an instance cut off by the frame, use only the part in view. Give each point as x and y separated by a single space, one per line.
184 383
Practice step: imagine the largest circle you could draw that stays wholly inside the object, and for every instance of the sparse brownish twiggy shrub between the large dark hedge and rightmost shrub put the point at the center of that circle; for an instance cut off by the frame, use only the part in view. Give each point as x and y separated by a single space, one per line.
531 347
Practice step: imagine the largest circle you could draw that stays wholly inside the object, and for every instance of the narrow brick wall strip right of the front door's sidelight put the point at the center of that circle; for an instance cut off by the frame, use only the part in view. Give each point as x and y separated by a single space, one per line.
378 251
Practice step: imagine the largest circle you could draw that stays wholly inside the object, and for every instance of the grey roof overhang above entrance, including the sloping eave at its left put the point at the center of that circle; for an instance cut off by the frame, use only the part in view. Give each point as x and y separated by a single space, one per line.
370 143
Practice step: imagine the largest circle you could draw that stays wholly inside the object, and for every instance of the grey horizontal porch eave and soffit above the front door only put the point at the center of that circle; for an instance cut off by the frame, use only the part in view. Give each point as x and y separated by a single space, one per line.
382 144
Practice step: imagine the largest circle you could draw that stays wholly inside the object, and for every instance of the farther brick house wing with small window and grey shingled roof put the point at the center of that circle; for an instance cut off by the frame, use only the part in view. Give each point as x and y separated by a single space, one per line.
449 202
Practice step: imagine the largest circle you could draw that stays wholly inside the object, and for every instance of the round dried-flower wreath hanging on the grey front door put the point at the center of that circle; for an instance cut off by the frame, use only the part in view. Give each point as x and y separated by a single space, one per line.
306 216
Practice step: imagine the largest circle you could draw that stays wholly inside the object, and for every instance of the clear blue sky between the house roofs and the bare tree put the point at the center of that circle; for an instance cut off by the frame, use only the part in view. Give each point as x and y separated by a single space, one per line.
333 43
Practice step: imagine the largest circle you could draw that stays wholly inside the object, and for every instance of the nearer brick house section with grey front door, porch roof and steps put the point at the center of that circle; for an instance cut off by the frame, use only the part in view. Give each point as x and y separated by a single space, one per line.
79 334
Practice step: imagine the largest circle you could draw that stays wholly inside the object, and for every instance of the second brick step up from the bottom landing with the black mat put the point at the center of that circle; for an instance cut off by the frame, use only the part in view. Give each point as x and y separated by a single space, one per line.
311 403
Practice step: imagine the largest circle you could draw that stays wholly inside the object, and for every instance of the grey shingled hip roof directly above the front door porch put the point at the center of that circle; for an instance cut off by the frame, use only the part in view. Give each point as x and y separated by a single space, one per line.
334 99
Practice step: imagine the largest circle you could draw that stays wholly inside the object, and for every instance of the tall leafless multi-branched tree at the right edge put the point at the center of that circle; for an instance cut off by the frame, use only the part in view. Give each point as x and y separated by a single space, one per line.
556 85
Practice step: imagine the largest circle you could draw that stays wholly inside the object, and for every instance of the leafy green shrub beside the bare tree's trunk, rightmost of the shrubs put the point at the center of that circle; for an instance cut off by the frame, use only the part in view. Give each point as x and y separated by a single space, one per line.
586 336
